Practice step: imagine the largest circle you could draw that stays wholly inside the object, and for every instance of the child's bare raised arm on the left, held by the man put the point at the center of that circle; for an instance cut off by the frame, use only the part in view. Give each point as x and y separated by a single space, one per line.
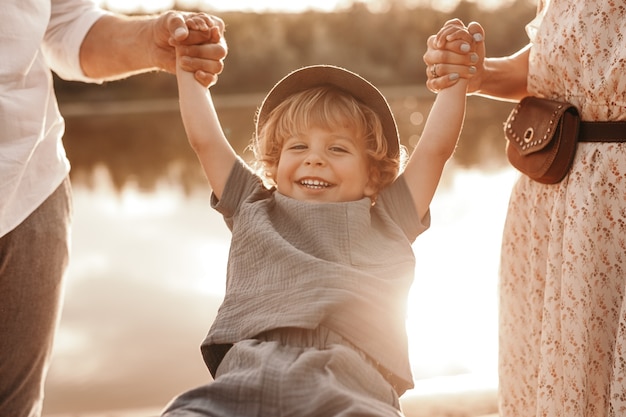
203 128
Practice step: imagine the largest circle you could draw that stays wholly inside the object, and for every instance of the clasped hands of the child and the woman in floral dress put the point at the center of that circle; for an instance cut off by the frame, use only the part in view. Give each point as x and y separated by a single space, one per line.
455 52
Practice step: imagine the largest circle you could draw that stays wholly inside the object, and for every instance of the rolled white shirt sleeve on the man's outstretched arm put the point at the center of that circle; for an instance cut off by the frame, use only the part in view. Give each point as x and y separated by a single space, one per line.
70 20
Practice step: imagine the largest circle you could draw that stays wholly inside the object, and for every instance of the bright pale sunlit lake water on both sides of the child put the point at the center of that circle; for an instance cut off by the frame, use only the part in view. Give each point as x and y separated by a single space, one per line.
147 275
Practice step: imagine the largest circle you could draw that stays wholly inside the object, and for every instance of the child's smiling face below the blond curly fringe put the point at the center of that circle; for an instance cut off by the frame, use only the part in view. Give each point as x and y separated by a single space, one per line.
320 165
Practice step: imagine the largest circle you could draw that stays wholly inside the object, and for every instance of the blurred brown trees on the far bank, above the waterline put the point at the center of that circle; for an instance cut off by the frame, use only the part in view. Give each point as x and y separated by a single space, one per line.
385 47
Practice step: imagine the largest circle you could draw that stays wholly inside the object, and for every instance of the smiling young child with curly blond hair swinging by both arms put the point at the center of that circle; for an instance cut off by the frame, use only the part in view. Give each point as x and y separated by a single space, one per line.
313 319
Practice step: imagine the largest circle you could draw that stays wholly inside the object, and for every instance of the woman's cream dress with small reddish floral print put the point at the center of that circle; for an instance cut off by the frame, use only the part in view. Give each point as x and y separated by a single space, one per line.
563 266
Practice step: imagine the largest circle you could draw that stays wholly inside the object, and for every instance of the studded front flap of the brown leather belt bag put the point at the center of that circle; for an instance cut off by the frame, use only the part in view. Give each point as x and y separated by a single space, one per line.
533 122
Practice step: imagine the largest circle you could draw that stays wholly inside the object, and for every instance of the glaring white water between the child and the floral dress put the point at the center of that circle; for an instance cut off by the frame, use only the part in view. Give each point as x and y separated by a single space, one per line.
452 311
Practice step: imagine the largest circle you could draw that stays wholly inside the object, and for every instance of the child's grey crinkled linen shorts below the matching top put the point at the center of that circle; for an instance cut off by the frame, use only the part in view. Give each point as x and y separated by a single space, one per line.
291 372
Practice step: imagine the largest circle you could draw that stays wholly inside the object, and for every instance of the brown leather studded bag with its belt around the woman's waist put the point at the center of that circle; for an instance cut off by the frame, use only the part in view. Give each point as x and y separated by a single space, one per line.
542 136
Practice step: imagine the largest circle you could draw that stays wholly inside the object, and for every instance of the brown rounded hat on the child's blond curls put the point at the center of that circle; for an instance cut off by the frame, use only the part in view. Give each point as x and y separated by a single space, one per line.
343 79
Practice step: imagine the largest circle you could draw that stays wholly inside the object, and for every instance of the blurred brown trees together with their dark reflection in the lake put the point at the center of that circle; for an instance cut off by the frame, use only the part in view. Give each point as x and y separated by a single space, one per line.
133 128
